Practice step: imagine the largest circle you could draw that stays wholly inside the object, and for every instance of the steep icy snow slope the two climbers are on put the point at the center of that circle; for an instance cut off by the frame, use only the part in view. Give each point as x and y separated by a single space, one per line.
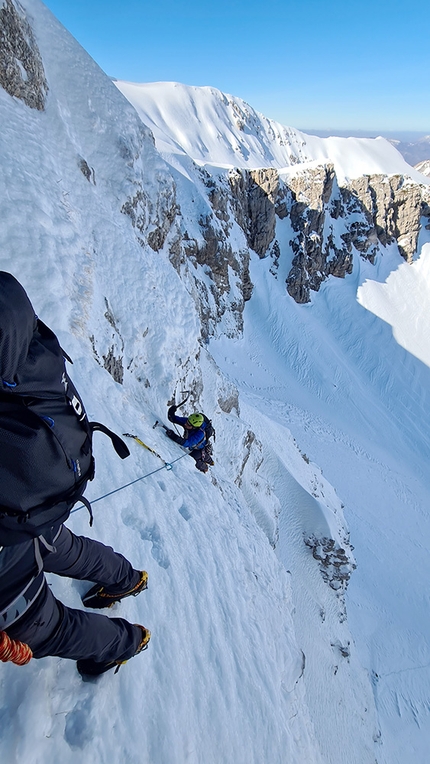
221 680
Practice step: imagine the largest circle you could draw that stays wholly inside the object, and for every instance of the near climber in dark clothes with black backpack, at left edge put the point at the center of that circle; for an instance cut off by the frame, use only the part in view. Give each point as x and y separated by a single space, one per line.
33 380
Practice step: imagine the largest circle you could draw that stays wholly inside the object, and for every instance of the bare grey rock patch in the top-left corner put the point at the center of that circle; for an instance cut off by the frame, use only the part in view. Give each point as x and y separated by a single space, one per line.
21 69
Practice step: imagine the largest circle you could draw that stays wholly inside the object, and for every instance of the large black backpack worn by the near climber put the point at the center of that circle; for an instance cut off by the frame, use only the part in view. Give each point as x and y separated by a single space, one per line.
46 456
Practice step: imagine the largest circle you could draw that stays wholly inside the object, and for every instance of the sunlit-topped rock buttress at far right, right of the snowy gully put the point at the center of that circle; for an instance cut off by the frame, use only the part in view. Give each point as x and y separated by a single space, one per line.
330 222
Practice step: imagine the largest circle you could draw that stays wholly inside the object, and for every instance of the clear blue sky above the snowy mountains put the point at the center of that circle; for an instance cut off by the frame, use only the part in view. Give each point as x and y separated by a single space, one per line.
309 64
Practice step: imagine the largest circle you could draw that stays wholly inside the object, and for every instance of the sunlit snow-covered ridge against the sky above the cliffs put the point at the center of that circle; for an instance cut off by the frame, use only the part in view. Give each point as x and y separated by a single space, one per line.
218 129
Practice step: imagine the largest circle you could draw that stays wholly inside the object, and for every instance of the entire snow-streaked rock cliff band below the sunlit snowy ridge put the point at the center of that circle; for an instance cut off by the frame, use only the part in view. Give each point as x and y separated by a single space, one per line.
330 224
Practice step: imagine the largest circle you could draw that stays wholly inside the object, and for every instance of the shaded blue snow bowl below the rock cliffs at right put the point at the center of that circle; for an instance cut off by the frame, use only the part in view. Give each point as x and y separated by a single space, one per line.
358 405
